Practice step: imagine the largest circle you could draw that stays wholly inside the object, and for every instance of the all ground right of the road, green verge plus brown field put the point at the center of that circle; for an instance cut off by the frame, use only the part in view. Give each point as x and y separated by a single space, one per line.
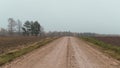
108 45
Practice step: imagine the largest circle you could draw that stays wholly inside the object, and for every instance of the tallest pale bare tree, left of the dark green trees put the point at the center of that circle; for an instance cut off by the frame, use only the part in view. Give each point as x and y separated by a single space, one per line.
11 25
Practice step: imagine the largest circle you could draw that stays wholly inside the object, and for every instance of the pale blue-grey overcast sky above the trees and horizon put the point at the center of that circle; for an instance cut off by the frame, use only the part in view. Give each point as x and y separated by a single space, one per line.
99 16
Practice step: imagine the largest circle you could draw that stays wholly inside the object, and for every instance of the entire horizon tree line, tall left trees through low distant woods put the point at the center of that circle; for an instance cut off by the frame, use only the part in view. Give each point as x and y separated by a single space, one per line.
32 28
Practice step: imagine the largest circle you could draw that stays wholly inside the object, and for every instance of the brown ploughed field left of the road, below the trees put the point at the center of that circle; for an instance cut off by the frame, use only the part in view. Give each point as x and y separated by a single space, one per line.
11 43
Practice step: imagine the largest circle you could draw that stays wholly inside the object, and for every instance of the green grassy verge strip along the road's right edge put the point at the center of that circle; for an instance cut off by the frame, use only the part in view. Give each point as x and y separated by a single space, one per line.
110 50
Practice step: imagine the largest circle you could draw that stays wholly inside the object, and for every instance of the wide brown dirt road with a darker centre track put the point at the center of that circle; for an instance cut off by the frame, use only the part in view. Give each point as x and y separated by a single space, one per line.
66 52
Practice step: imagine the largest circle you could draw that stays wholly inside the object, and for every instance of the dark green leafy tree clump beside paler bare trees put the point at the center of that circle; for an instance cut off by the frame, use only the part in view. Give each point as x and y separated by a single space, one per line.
31 28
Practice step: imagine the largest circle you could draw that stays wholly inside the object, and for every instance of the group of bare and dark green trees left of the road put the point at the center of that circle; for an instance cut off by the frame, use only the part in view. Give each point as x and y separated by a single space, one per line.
28 28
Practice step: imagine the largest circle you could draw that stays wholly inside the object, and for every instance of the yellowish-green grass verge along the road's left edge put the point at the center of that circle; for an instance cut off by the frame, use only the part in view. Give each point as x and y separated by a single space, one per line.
10 56
